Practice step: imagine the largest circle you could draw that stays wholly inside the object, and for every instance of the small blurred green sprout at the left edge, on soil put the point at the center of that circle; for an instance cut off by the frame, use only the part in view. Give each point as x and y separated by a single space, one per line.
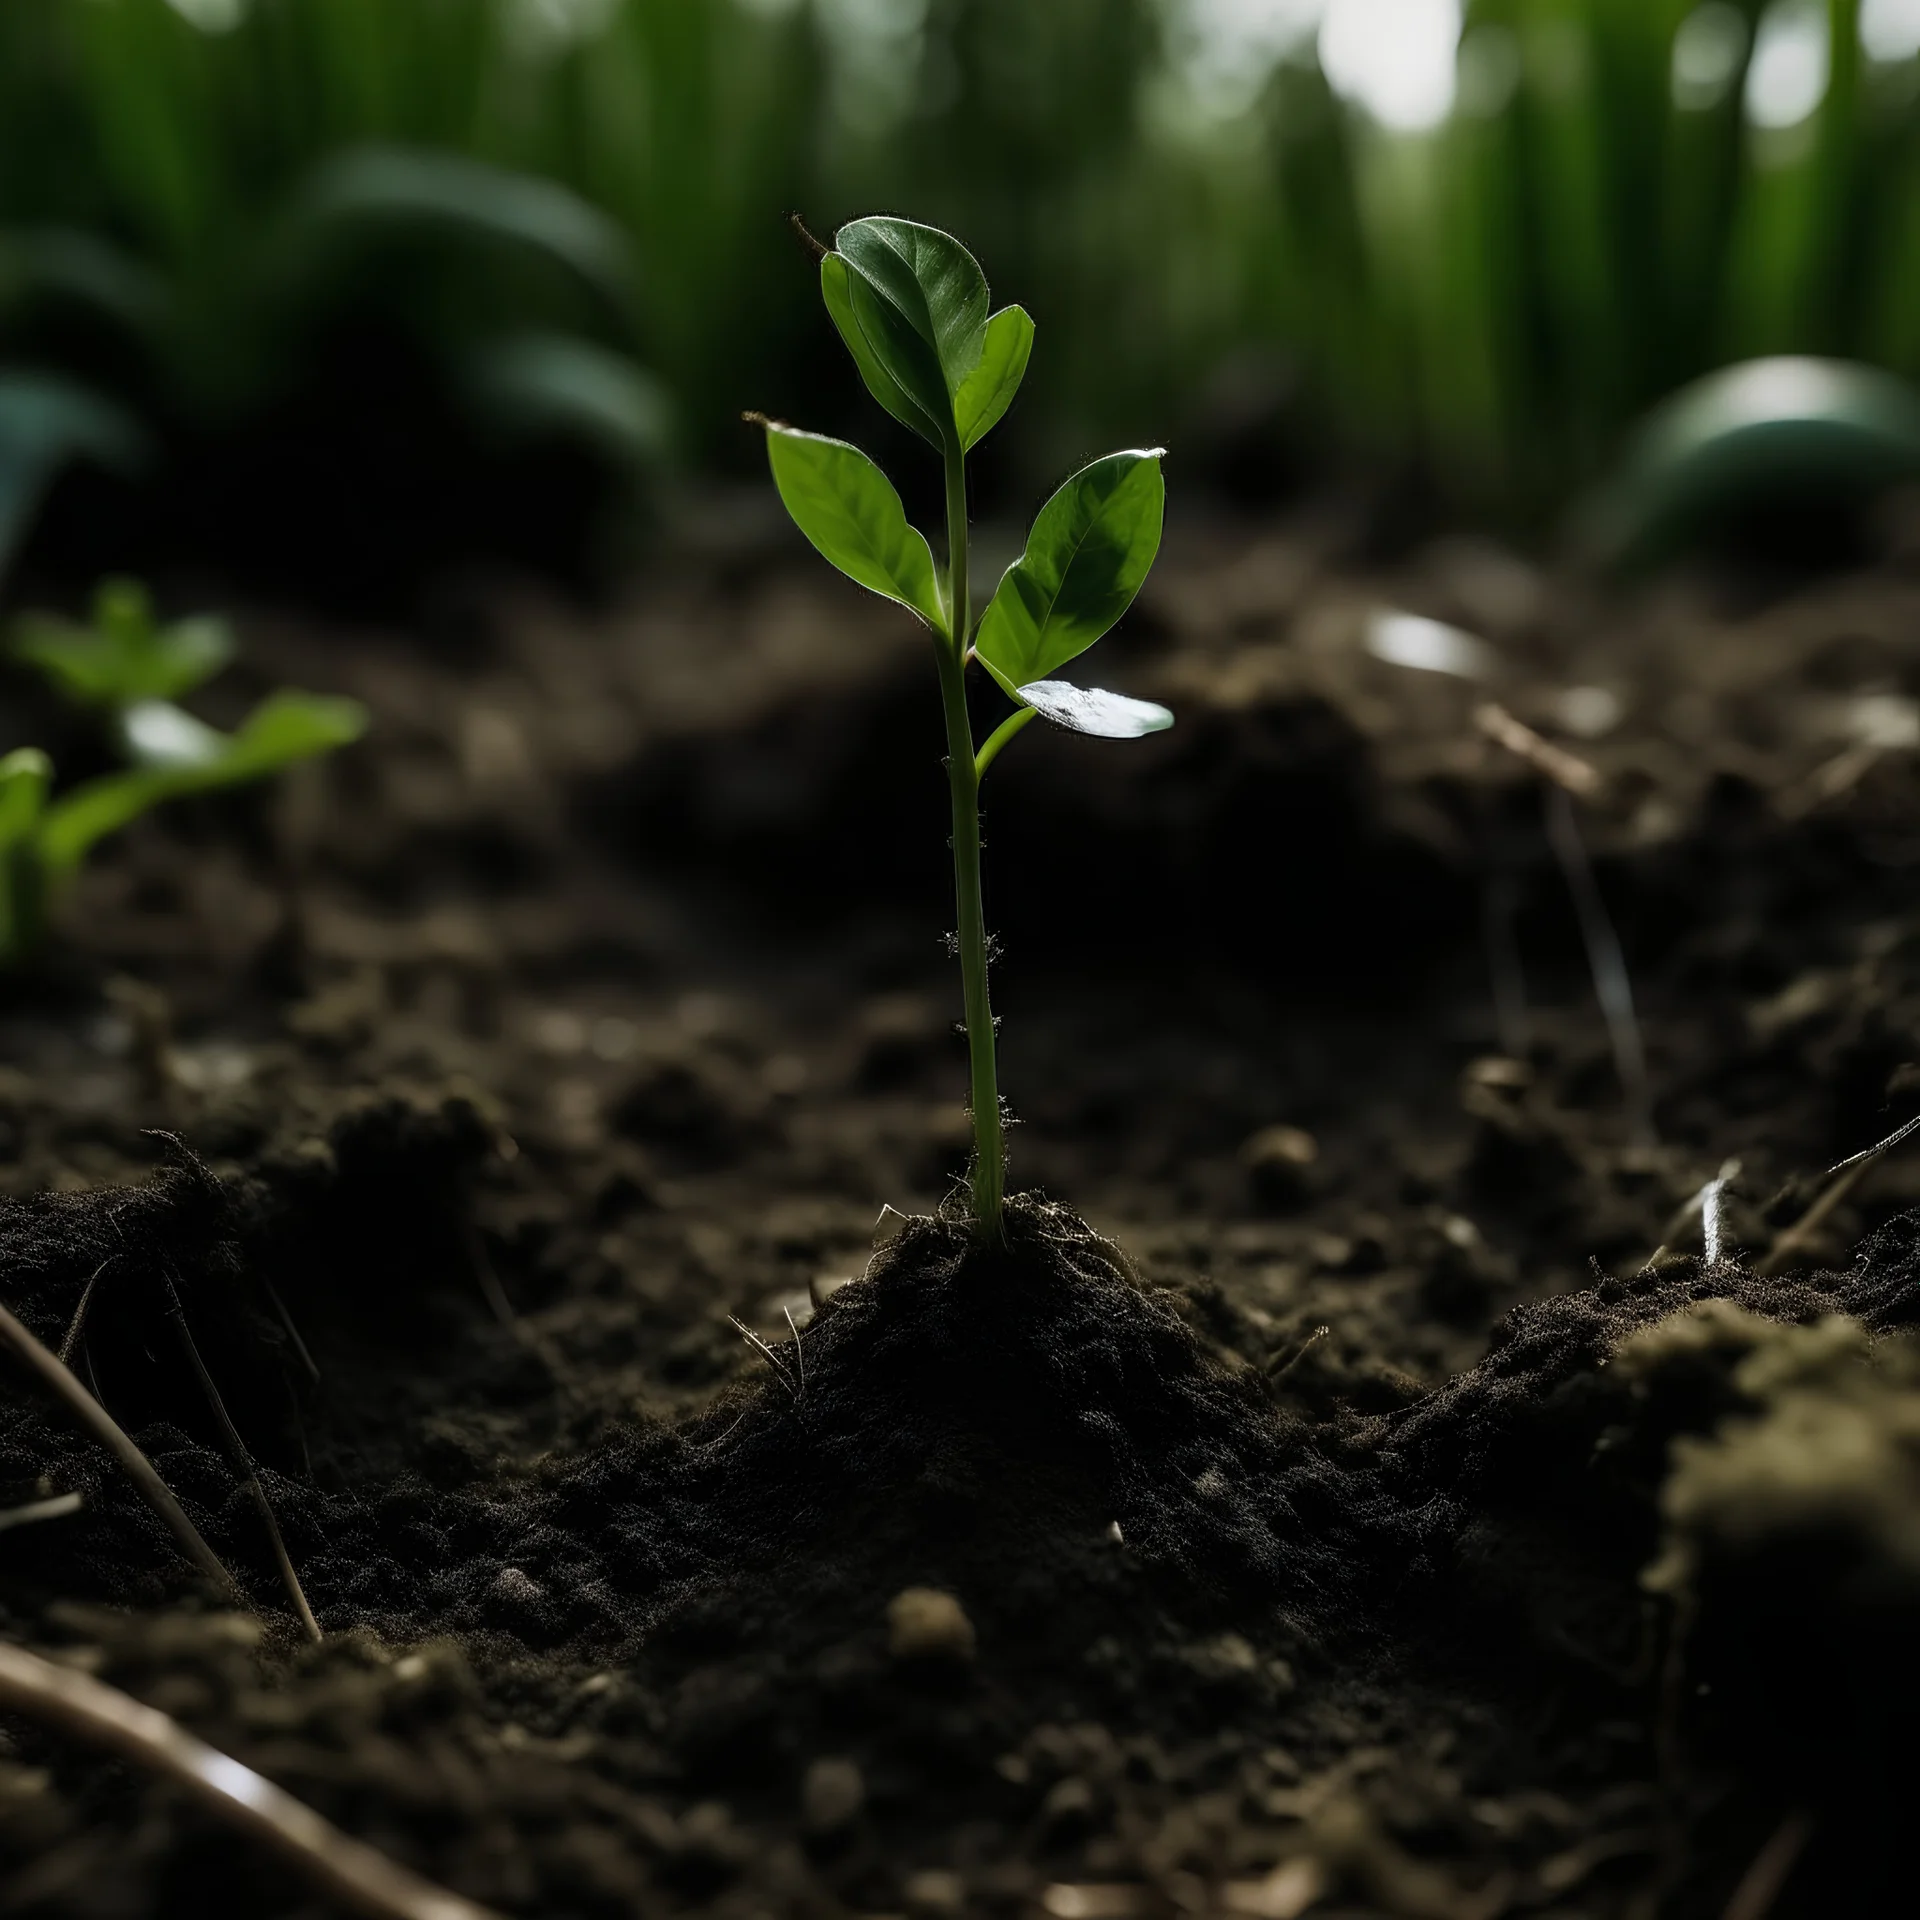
132 673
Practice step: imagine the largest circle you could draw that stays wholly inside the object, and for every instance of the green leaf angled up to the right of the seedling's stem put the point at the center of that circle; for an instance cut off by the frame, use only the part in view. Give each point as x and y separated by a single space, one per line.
1086 560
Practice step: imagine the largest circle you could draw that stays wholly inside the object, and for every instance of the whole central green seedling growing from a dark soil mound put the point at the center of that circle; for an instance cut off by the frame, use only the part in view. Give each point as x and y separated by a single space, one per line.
911 304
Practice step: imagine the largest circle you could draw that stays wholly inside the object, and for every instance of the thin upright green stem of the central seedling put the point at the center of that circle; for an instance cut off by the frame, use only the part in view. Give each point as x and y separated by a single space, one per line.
963 779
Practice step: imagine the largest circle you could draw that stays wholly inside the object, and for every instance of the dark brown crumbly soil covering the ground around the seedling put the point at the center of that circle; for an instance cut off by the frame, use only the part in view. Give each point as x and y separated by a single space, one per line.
1353 1491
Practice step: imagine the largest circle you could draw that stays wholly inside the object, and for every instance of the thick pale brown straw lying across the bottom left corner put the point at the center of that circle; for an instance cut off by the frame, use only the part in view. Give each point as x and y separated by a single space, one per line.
337 1863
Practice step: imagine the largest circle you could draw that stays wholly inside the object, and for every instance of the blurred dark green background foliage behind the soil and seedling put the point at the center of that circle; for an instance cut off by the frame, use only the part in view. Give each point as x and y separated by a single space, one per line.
379 281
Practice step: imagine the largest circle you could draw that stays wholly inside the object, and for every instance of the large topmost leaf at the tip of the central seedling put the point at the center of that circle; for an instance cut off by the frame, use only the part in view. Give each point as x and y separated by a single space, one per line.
921 300
